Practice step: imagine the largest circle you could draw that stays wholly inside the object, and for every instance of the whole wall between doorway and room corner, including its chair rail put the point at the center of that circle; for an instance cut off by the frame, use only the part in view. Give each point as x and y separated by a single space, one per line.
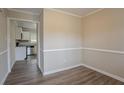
62 40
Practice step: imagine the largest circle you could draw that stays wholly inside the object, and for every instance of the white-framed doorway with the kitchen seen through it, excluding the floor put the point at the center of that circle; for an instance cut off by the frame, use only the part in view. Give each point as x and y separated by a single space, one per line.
23 42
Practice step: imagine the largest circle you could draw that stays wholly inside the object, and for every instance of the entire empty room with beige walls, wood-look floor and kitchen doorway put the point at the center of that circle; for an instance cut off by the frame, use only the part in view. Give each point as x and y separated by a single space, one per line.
61 46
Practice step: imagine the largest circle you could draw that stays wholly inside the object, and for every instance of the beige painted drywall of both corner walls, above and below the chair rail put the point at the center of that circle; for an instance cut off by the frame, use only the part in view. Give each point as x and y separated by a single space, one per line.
101 30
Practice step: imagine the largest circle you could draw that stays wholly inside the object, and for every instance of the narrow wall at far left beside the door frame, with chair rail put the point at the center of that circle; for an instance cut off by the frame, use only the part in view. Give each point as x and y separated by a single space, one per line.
3 47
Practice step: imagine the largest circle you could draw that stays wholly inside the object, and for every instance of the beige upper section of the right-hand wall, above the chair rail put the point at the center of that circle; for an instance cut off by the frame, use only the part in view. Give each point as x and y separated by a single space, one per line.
105 29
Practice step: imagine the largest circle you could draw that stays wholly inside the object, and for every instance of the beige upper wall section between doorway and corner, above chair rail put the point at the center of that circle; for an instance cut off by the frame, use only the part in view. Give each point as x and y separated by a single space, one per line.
61 30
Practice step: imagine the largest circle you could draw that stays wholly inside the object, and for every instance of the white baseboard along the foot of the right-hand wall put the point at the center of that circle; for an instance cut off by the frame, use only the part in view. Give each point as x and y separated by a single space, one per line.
104 72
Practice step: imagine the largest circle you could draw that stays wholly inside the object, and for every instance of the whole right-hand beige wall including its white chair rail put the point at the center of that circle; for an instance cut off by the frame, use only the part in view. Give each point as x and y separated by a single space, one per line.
104 34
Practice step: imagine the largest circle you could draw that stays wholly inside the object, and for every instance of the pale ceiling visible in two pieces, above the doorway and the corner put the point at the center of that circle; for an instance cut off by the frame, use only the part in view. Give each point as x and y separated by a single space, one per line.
75 11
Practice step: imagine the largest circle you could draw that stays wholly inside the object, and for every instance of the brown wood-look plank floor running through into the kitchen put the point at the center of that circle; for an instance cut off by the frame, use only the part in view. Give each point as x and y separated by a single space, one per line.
24 73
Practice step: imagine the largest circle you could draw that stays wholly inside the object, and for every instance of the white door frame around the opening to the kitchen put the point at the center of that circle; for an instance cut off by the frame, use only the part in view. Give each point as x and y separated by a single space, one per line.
38 39
